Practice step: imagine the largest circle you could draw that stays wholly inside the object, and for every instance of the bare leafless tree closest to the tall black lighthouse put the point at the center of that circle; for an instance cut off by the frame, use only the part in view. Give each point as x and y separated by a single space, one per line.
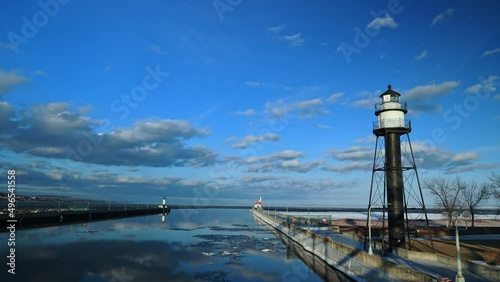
446 193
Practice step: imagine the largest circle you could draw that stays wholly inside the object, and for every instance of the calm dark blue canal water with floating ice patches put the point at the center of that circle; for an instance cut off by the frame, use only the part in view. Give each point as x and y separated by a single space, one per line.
191 245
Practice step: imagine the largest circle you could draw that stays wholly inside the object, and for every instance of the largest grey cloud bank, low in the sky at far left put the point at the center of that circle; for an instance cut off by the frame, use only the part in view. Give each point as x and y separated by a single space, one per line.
55 131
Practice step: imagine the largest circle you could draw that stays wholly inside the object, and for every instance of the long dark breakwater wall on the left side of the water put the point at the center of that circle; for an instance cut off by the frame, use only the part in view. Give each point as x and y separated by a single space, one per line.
64 217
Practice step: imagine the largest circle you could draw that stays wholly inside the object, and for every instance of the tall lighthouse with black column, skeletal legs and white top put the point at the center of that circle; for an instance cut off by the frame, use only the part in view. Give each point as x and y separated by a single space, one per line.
389 166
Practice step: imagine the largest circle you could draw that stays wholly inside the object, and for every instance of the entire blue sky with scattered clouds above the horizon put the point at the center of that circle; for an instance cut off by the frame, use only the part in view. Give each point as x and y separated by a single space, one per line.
219 102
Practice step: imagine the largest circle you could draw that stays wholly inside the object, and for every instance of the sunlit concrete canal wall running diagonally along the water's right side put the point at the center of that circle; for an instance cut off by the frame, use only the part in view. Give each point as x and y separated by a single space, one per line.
355 263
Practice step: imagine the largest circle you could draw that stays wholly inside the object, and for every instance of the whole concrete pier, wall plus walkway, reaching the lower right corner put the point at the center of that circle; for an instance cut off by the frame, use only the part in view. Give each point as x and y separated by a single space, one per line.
389 267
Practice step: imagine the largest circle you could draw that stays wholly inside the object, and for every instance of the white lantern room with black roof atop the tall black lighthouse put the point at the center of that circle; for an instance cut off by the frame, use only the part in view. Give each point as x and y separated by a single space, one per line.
390 111
